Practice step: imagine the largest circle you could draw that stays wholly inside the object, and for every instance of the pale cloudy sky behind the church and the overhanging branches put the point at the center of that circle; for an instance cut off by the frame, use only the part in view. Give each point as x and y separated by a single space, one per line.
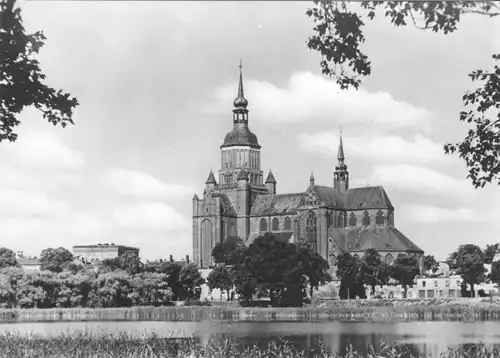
156 81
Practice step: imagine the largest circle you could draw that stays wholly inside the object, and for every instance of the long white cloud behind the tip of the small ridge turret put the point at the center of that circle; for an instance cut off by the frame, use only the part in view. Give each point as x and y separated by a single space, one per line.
419 149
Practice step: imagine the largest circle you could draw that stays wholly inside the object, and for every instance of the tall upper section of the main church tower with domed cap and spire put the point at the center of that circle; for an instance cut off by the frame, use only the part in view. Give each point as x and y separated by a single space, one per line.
241 147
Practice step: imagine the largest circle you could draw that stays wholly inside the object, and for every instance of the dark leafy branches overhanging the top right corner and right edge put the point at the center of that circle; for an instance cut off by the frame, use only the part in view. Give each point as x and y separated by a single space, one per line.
338 34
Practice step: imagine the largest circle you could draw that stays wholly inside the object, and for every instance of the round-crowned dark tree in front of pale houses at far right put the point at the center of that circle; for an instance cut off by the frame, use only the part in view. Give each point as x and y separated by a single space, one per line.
468 261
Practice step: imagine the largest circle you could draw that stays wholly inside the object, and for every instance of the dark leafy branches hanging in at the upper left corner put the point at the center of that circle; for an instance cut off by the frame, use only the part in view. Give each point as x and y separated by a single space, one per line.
22 81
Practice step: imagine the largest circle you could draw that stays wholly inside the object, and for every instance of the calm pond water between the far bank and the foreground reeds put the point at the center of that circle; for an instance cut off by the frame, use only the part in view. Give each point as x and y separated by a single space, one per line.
428 338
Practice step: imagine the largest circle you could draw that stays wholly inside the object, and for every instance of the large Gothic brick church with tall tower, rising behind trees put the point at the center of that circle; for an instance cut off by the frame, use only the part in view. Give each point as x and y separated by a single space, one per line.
333 219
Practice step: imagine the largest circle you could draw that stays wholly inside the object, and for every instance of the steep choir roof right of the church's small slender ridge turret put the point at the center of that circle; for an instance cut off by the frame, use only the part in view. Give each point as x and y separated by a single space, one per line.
373 197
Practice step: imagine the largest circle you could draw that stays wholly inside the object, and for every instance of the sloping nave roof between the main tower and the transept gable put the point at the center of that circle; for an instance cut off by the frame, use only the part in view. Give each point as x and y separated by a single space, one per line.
276 204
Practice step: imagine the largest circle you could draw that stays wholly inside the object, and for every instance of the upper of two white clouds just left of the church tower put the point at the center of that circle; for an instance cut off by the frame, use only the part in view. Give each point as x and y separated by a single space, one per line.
142 185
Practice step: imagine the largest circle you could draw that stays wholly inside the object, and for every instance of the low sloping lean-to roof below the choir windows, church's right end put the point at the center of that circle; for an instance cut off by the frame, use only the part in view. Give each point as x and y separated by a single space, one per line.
383 238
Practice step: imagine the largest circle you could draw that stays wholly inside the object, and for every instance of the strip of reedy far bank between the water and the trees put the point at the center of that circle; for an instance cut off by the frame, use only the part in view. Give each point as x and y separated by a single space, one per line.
467 310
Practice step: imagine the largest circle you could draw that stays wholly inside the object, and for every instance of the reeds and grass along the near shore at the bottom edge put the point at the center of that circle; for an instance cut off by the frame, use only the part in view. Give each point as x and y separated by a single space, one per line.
120 345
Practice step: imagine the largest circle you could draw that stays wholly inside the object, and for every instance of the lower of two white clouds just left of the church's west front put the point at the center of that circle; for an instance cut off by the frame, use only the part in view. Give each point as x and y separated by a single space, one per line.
149 216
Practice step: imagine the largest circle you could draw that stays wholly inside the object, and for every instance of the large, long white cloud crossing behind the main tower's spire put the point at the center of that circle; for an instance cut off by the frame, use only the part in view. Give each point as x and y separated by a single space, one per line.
309 96
